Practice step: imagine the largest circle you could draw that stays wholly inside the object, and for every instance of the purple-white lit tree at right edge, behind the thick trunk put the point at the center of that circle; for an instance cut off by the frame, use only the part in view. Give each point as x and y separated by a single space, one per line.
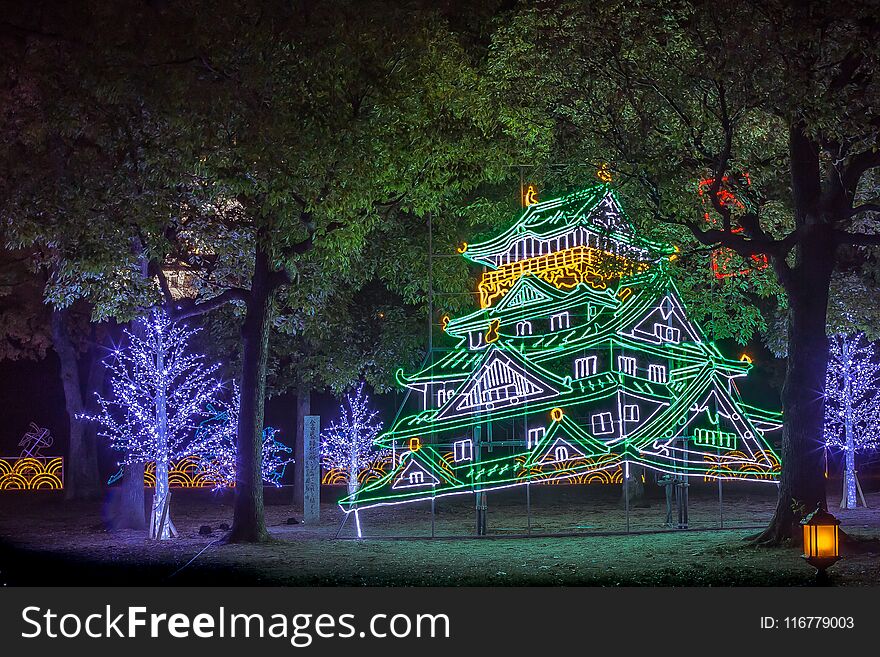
852 405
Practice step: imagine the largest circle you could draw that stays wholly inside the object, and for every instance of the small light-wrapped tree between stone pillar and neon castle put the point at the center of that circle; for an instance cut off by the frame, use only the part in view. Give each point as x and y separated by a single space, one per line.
348 444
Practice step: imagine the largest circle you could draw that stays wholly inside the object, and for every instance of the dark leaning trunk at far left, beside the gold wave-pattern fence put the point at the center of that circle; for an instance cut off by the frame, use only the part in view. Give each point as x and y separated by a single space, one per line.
81 478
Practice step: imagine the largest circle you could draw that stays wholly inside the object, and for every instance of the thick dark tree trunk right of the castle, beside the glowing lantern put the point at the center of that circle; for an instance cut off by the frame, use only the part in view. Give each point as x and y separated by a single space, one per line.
802 483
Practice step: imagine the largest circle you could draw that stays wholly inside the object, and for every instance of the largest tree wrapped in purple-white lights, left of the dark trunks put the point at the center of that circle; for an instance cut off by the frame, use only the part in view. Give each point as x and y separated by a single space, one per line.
159 392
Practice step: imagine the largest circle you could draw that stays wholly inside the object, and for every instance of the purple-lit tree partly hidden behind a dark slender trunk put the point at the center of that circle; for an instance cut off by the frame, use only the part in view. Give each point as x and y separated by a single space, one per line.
214 446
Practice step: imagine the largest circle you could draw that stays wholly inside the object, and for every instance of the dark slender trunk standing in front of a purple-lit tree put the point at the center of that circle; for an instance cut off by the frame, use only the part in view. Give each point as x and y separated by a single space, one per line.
249 521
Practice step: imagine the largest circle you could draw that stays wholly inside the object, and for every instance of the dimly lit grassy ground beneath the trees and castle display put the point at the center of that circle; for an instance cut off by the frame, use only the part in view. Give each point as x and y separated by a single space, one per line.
47 541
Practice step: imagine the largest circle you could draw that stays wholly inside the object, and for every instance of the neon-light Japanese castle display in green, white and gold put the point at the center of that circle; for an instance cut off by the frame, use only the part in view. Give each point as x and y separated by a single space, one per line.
580 362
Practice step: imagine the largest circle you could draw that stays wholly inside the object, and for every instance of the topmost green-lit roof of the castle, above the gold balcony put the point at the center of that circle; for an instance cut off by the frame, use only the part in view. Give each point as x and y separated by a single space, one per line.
595 208
